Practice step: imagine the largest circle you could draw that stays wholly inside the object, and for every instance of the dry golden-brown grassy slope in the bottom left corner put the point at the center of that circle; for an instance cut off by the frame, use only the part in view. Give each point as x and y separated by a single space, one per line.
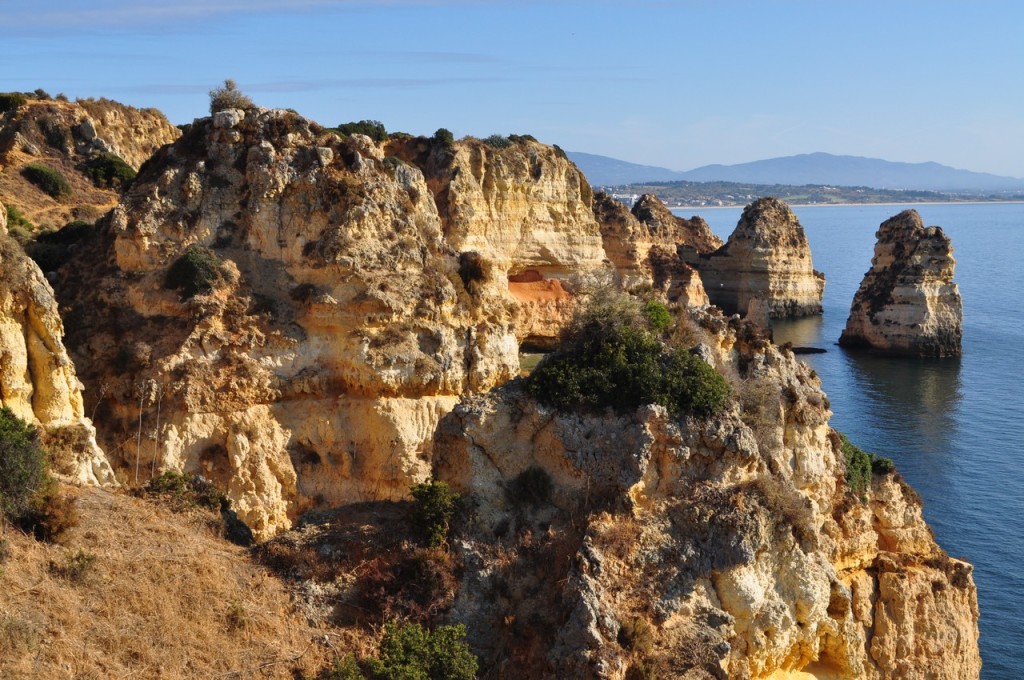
164 599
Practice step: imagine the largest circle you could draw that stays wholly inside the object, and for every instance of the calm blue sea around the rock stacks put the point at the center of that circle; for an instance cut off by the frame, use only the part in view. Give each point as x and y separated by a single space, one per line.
955 428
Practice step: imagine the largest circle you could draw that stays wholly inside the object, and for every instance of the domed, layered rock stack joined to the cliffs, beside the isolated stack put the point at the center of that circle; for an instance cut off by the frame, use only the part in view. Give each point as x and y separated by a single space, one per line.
766 260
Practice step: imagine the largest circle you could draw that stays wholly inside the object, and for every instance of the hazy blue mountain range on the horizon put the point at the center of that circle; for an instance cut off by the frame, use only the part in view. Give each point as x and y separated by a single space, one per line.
818 168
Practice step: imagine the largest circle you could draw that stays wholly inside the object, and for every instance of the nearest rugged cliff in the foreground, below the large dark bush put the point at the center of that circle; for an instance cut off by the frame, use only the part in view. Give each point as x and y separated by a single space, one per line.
729 547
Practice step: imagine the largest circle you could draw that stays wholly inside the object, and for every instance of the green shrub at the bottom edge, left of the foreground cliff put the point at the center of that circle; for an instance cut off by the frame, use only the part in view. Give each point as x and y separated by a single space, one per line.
413 653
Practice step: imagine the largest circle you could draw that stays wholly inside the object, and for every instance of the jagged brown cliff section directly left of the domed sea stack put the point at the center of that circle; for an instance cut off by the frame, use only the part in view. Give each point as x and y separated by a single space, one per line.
647 253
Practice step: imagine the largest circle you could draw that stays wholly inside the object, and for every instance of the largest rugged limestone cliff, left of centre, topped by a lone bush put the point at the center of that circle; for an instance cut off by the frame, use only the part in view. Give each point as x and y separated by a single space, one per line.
338 328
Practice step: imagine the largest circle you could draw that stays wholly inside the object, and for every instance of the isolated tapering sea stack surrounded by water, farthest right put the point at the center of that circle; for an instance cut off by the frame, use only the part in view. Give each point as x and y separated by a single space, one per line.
908 304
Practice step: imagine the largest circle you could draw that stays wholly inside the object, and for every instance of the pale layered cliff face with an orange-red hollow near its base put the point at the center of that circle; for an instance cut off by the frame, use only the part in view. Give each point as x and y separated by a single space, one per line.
522 217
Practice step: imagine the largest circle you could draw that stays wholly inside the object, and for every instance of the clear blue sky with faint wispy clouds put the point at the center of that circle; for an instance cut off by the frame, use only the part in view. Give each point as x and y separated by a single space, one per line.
673 84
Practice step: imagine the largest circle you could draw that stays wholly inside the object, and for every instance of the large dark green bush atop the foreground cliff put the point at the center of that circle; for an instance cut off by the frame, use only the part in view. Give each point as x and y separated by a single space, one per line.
612 356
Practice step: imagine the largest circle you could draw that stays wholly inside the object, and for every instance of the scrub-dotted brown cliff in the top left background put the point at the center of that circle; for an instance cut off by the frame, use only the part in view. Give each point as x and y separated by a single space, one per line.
66 137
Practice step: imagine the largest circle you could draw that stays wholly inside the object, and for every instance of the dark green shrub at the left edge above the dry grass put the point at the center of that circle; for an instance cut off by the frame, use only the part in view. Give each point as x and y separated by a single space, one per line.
24 474
